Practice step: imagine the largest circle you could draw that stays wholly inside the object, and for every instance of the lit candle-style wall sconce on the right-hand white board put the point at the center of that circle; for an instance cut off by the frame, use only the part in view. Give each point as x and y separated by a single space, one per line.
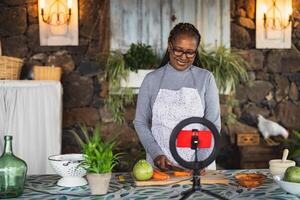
274 18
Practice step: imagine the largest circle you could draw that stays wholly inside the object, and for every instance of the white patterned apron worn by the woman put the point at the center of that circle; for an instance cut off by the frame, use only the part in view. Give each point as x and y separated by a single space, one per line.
171 107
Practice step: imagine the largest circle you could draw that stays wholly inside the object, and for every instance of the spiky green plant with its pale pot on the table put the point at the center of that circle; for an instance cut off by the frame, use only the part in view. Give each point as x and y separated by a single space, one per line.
99 159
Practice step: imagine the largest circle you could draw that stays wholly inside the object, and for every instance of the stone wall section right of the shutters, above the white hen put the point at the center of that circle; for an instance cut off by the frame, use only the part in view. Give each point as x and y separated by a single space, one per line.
275 74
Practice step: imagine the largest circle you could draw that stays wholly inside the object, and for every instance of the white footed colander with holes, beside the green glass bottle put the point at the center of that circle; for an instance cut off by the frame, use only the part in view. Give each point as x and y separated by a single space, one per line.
66 165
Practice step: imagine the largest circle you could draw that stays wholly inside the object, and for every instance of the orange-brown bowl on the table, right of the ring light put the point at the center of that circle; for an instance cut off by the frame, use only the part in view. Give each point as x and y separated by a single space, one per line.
250 180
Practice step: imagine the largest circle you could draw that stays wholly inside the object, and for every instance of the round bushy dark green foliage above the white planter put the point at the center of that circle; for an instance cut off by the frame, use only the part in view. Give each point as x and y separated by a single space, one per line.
141 56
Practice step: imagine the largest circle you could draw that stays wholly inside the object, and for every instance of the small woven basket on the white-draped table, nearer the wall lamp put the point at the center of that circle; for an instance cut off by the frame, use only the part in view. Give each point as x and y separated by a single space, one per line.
47 73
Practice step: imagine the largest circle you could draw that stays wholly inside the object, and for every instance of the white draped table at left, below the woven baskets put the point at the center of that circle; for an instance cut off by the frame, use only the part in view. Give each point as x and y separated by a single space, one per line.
31 111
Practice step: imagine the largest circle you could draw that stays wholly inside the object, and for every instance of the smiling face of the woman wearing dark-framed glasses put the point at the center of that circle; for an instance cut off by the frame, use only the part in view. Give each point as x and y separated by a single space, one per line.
182 52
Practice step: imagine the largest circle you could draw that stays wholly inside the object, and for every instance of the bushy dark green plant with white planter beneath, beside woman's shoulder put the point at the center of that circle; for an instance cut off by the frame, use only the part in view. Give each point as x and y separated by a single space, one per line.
140 59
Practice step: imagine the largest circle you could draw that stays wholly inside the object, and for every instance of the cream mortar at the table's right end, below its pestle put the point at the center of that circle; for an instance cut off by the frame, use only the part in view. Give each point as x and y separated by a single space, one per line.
277 167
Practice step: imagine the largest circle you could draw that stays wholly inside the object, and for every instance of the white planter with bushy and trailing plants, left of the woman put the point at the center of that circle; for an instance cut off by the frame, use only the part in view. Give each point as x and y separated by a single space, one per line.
123 76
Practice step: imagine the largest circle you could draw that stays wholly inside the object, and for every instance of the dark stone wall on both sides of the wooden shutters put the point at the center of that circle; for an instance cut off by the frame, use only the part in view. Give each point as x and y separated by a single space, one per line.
275 74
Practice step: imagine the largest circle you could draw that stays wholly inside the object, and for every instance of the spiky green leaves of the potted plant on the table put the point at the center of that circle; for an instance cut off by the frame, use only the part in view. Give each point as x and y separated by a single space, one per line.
98 154
